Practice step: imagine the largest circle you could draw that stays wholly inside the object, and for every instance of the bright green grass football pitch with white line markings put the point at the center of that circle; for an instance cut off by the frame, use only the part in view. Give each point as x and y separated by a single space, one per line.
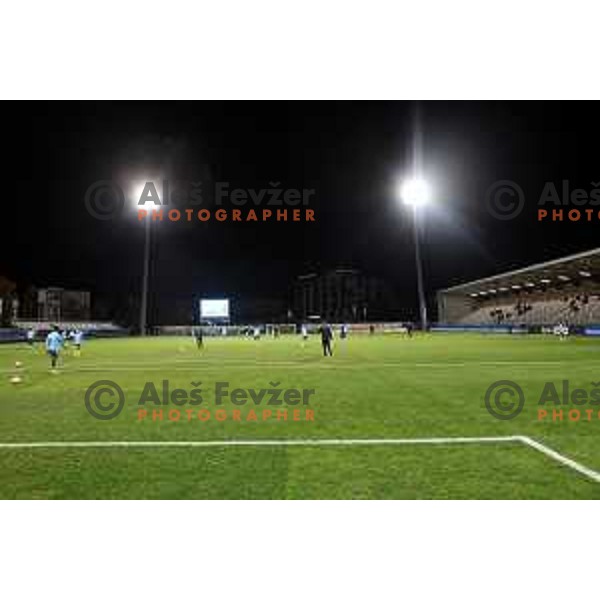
387 417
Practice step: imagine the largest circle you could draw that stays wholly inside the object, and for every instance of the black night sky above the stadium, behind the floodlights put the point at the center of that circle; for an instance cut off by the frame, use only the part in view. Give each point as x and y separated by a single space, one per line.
350 152
